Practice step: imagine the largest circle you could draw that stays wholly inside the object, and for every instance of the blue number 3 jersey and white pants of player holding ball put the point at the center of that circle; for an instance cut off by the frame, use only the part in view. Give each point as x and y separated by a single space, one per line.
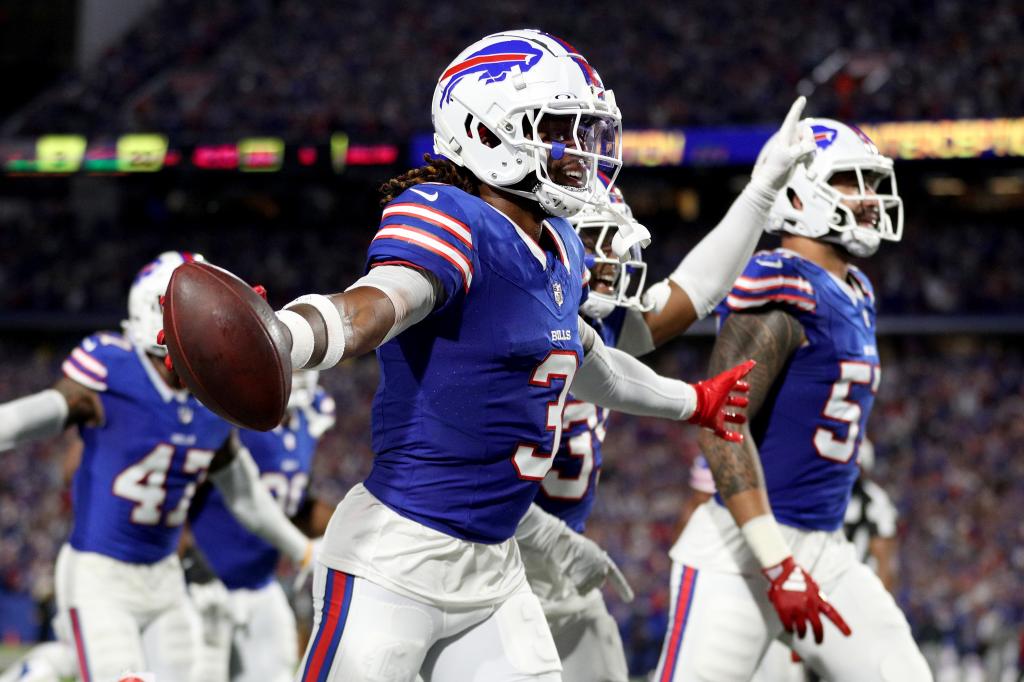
465 421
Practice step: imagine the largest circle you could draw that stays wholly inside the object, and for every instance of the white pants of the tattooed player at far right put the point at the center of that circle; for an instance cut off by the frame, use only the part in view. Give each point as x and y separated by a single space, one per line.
722 622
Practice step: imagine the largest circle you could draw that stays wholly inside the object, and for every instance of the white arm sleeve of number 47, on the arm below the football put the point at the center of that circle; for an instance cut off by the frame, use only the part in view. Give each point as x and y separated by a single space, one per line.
254 507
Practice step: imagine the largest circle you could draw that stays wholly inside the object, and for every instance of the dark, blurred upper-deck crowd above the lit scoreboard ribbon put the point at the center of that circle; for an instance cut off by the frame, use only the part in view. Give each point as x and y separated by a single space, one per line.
305 68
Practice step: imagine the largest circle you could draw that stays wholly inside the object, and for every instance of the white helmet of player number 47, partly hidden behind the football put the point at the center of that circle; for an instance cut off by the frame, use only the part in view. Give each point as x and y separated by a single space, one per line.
146 318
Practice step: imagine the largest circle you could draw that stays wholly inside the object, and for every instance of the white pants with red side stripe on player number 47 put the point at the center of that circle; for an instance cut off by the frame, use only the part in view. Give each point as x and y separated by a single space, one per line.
125 617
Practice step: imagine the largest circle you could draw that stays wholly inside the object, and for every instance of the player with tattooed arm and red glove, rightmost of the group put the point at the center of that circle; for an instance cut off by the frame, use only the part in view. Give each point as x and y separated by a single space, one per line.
807 316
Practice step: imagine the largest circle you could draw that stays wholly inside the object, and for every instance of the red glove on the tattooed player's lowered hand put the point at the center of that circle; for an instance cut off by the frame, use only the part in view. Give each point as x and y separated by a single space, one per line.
798 601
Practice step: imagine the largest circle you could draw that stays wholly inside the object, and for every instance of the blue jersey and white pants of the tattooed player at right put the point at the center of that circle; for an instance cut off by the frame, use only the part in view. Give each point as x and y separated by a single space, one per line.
807 434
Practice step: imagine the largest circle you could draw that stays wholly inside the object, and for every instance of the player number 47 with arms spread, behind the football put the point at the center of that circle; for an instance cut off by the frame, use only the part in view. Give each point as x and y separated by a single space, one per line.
148 446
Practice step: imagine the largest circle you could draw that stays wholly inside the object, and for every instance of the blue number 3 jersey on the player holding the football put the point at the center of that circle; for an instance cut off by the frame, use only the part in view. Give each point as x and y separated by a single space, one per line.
468 412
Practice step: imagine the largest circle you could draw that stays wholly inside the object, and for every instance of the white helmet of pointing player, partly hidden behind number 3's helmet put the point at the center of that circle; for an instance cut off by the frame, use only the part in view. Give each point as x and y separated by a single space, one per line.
598 227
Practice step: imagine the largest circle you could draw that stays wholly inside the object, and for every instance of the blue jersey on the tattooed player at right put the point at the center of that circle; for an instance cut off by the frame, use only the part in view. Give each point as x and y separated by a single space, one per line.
810 428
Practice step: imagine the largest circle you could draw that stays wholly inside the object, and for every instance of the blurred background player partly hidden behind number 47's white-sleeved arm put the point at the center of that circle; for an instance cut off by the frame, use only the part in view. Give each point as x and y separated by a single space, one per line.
255 618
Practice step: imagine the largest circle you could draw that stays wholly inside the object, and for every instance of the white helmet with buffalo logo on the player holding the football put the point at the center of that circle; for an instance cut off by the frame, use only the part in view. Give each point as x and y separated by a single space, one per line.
492 101
